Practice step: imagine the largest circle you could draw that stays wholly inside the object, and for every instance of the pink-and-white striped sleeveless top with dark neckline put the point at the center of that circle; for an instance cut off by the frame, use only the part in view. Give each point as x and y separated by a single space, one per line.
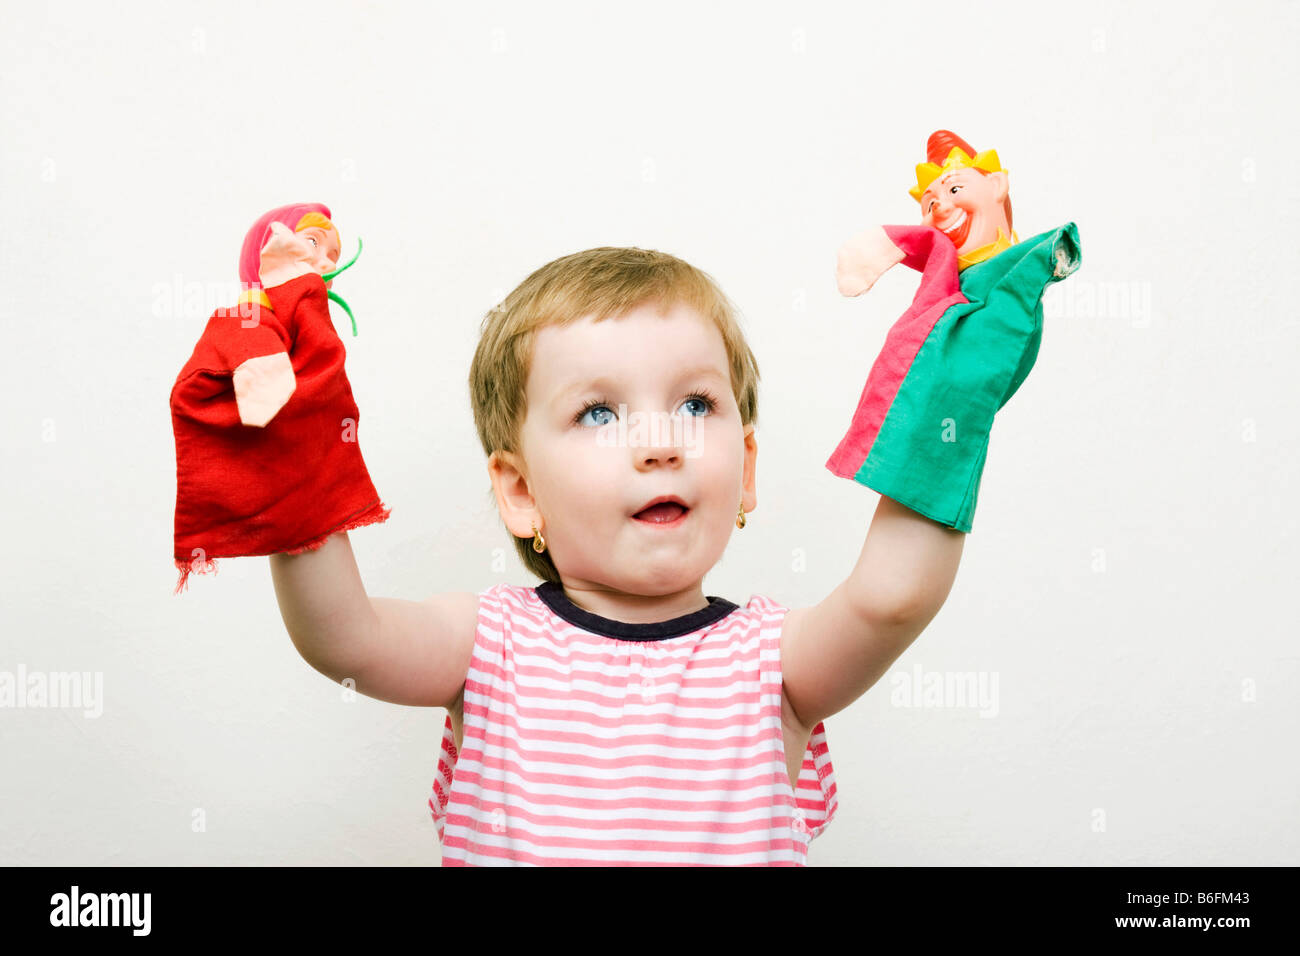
596 742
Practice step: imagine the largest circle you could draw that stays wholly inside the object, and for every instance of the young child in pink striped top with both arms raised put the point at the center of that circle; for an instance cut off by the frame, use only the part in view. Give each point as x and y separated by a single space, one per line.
616 713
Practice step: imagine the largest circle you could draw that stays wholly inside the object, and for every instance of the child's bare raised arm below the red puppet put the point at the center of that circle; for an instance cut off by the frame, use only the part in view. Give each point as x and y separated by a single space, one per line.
404 652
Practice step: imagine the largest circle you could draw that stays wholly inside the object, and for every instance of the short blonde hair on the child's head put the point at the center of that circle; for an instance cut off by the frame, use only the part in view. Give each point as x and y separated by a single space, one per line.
603 283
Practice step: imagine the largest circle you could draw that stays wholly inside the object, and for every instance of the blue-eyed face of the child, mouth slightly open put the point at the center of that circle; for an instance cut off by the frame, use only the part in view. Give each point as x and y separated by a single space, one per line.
619 413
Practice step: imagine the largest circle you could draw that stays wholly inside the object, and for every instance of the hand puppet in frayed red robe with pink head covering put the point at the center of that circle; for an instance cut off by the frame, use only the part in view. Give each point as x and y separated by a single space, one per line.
267 455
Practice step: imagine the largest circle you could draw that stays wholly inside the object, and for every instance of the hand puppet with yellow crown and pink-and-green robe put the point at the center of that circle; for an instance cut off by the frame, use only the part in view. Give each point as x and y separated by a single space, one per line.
972 335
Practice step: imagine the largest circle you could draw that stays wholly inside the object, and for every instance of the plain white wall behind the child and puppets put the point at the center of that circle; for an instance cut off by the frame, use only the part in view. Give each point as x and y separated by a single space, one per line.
1132 573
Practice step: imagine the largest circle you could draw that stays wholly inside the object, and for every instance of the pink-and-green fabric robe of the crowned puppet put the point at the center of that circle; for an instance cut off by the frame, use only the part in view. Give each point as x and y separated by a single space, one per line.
964 348
